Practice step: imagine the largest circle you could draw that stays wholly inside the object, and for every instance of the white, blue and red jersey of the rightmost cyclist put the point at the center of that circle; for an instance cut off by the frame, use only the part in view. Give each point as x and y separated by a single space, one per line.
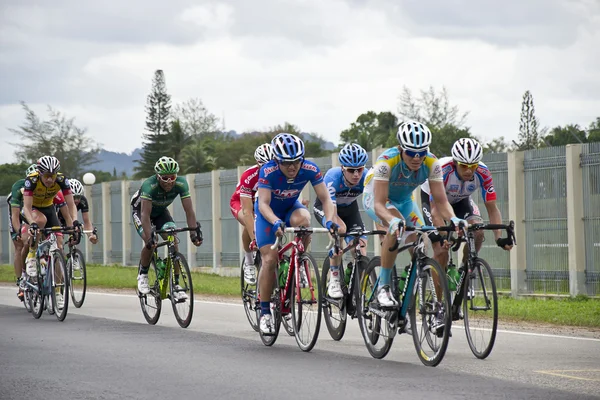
457 189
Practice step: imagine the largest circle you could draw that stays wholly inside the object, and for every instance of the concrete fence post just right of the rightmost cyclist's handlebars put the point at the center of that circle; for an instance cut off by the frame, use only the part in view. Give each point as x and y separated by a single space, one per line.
516 211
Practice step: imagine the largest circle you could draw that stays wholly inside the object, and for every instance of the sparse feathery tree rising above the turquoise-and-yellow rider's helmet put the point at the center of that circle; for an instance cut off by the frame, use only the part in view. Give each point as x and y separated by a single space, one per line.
431 108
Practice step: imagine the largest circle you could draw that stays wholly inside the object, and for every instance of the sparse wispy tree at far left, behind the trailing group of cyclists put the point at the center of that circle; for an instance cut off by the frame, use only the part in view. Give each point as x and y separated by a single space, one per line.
59 137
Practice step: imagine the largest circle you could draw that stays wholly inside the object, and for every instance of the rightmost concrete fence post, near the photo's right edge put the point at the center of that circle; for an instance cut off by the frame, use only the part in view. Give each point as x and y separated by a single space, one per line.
575 209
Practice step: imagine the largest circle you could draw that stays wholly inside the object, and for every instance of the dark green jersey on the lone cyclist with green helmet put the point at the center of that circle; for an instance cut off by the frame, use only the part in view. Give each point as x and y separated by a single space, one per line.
151 190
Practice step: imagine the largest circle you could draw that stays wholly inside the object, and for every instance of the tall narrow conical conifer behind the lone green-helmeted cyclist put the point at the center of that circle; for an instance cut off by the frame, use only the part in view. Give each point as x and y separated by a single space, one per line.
158 106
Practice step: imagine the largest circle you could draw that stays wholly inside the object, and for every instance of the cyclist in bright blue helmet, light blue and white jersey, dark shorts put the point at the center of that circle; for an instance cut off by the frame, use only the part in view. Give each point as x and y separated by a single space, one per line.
344 184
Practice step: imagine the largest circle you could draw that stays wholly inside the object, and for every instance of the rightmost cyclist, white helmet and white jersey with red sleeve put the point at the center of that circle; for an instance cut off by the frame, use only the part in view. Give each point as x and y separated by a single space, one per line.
464 174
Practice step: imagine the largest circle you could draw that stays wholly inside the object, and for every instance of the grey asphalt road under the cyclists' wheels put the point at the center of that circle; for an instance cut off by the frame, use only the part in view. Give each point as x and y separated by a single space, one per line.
106 350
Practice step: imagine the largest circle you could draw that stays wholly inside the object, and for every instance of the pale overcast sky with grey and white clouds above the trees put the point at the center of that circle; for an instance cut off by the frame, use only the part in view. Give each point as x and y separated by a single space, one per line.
318 64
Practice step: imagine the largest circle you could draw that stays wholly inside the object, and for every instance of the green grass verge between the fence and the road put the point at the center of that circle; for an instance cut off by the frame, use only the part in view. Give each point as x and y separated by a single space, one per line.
579 311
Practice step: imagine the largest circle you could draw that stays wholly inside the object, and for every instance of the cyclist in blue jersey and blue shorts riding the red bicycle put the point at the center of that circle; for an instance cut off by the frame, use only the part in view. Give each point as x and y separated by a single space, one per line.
279 184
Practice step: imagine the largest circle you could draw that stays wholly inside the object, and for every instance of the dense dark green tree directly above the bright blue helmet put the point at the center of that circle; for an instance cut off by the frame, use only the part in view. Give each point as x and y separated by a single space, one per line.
371 130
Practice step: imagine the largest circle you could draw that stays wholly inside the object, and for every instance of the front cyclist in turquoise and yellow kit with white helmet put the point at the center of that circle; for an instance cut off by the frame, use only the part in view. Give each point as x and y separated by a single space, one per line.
388 198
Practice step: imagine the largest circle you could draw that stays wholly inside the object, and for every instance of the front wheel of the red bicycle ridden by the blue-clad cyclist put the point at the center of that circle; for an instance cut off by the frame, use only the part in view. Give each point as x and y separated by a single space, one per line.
307 305
